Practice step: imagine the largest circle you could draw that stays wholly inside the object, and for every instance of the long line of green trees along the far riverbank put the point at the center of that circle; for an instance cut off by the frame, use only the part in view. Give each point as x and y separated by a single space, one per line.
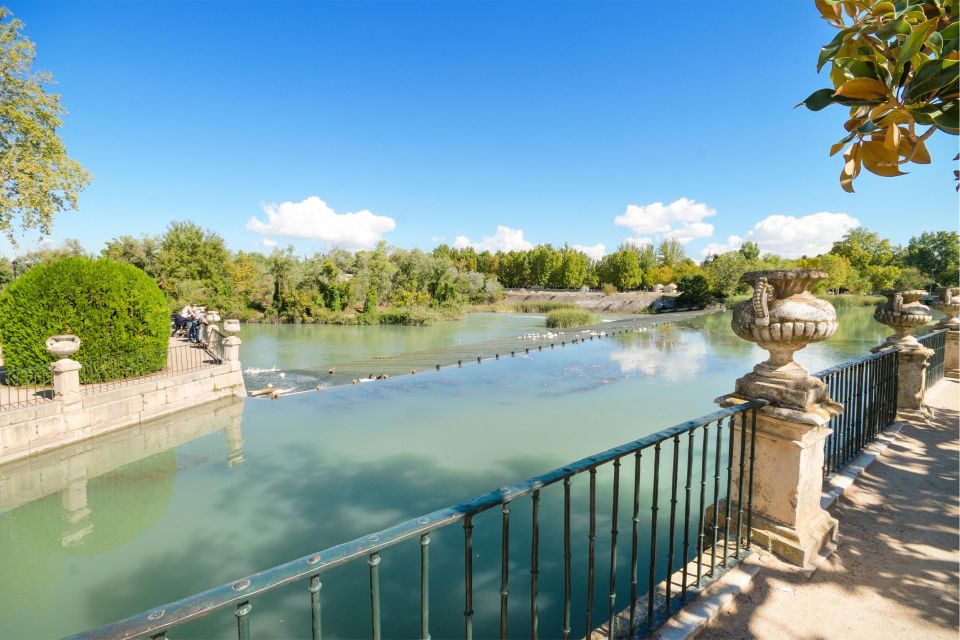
389 284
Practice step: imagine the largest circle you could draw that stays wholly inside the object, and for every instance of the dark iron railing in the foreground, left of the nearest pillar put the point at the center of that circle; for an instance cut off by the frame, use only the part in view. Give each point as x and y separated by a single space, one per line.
705 466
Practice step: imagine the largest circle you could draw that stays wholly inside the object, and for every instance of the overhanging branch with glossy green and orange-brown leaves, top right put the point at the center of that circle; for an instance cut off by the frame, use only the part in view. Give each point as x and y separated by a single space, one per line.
894 65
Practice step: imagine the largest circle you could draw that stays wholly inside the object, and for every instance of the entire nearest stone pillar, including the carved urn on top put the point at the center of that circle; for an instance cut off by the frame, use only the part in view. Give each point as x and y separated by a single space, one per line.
783 317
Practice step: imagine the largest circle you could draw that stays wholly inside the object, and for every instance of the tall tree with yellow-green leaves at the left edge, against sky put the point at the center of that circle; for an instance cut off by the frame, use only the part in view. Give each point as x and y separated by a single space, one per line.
38 180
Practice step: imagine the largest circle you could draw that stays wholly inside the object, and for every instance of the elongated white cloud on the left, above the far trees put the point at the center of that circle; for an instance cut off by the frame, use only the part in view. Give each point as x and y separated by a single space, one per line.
315 220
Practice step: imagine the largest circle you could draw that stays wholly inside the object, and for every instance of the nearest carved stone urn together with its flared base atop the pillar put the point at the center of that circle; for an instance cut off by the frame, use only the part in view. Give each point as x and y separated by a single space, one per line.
783 317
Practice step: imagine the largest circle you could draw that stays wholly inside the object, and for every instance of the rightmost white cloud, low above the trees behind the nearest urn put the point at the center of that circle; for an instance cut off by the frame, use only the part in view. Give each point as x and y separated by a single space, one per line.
792 237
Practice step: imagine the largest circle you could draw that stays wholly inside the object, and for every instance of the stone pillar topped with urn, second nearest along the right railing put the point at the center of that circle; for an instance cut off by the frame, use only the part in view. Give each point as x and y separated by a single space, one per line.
903 312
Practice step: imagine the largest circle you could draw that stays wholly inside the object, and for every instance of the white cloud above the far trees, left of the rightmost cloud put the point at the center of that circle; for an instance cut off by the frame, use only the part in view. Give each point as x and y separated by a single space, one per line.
682 220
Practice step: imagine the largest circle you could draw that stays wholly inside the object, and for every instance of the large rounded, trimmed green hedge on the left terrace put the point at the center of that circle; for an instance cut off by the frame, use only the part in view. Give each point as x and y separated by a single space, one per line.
116 309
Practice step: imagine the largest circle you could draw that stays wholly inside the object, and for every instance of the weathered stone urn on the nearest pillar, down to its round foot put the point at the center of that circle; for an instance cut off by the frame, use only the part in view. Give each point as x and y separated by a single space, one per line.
783 317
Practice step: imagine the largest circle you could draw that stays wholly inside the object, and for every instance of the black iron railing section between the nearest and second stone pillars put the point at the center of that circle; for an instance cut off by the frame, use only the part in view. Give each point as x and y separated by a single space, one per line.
867 389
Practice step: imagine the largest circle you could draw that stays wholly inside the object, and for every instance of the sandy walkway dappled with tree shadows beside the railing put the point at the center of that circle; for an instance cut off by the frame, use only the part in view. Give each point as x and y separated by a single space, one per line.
895 574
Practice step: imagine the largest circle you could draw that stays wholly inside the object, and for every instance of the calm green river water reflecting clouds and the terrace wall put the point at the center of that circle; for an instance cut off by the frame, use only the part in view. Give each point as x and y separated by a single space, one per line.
116 525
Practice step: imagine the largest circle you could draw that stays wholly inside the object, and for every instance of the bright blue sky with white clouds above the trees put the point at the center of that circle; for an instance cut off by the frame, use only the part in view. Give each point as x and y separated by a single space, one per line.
430 120
